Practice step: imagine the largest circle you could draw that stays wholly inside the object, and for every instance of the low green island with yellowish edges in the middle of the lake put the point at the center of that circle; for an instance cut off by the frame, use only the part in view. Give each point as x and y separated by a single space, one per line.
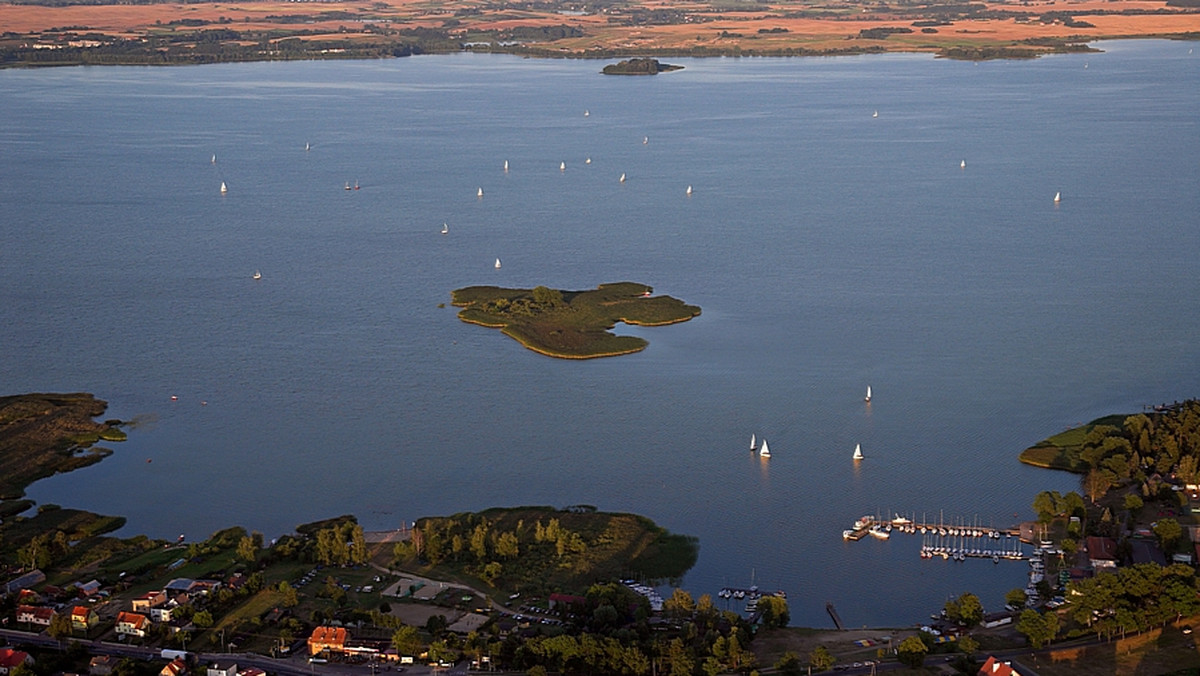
572 325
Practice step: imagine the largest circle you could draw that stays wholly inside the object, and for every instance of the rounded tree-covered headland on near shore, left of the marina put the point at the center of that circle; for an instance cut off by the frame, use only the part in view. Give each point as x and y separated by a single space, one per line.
538 551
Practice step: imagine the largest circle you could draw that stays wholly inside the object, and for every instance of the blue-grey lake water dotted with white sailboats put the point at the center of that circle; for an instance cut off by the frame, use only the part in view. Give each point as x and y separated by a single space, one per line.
830 250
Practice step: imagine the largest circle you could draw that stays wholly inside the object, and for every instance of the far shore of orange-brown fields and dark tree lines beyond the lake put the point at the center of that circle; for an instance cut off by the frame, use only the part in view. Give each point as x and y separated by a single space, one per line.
272 31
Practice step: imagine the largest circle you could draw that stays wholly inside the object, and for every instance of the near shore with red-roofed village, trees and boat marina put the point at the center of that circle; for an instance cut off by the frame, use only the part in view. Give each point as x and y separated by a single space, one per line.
543 590
